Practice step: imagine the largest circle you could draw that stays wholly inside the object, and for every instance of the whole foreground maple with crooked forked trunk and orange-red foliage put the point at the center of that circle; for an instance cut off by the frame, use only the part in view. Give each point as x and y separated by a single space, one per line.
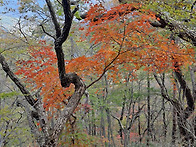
128 40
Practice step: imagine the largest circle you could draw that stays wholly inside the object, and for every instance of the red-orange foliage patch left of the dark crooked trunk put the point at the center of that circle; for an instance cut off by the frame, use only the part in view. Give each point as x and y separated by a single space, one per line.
41 71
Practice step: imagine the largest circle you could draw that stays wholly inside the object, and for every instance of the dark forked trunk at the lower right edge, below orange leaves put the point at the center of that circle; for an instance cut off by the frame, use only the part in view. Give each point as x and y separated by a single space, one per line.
182 114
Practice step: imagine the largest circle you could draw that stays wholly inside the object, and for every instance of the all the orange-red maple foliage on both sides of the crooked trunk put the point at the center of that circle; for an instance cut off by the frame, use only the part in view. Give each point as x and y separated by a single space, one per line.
128 42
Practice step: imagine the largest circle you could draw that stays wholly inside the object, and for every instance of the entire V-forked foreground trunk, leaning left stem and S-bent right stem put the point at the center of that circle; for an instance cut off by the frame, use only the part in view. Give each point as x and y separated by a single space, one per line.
48 137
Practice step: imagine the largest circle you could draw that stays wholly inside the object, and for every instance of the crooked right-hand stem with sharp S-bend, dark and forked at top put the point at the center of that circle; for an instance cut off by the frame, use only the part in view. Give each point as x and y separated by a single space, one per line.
65 78
